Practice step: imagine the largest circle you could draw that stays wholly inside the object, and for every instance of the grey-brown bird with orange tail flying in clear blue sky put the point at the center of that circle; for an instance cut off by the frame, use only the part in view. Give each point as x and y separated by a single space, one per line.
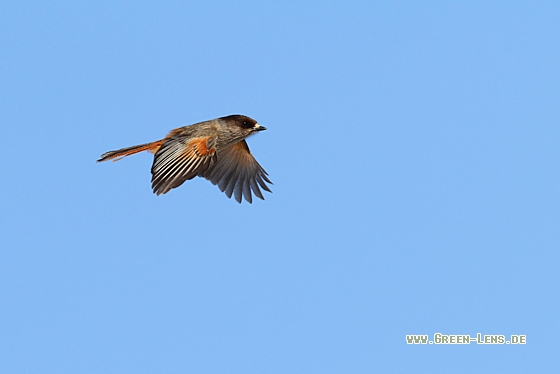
215 150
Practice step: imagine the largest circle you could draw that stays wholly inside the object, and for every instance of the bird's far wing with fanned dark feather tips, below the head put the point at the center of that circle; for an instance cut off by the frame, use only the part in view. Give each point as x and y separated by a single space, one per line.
237 172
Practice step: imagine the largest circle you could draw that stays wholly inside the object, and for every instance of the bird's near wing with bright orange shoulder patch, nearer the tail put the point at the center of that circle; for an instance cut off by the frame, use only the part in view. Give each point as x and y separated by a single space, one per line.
179 159
